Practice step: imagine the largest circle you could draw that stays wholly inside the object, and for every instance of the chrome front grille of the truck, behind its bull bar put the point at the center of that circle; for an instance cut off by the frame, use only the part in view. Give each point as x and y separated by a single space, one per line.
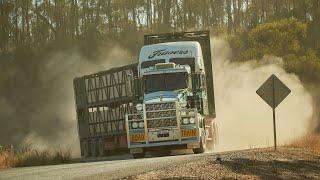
161 114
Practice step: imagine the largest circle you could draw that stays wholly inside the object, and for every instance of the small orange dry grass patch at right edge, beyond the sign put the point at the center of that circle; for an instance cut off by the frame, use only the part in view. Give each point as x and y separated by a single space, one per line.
310 142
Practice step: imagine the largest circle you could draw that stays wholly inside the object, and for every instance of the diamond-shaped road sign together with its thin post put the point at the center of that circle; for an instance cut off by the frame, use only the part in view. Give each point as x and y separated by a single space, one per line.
273 92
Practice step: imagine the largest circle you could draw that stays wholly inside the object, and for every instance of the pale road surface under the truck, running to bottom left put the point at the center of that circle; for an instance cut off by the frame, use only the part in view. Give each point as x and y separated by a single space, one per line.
109 169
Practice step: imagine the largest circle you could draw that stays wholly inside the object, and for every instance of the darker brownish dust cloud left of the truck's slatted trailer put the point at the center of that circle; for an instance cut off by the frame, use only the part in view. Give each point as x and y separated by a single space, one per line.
44 116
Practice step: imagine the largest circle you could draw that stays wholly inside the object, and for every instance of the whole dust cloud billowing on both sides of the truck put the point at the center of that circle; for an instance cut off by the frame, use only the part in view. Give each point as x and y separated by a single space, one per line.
44 114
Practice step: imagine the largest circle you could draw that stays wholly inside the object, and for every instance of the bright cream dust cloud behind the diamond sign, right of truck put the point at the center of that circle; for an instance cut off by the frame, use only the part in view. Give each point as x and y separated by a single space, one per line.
244 119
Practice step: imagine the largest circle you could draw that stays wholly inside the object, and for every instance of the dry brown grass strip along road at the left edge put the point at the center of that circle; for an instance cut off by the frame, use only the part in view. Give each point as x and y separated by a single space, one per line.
32 157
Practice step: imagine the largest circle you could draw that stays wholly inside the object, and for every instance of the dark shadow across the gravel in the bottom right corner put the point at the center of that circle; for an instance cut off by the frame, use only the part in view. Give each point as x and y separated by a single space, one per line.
299 169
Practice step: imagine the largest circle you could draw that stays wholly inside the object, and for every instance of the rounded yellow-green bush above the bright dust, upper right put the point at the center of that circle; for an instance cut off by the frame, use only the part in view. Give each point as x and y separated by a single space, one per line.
279 38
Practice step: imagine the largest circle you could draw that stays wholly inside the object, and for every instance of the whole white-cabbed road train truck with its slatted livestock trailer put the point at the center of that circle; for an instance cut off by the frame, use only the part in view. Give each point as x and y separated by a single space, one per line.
165 101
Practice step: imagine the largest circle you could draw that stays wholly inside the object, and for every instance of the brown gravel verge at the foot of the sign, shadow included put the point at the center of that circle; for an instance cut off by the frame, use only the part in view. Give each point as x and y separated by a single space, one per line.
251 164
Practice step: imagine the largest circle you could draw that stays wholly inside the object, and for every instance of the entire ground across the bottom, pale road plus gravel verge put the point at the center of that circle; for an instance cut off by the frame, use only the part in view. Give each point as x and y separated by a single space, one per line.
249 164
